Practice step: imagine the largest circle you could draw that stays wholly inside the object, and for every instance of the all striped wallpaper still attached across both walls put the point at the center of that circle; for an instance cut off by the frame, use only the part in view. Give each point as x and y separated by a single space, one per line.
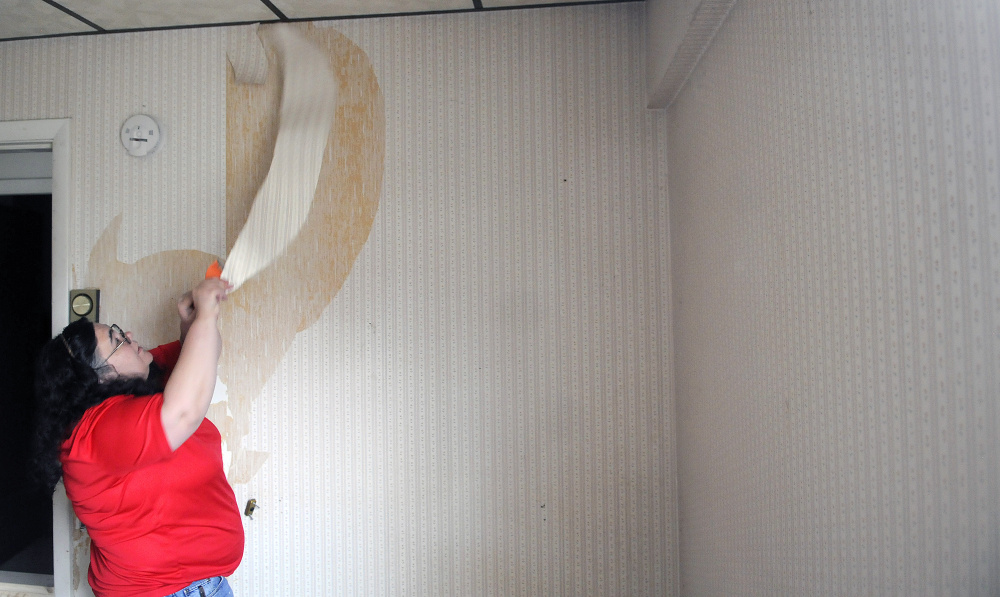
485 406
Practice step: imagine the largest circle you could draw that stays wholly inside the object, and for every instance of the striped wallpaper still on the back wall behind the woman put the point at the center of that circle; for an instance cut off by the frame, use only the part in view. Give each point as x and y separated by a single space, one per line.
484 407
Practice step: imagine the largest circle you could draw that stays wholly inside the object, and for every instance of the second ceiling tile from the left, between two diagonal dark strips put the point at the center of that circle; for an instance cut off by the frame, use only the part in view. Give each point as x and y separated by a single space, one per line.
140 14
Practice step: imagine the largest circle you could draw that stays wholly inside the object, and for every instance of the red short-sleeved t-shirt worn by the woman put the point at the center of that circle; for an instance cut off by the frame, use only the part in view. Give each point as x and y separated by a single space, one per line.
158 519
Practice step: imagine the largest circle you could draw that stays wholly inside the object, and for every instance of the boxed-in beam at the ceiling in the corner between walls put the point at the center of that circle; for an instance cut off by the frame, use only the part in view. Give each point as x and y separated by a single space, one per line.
678 33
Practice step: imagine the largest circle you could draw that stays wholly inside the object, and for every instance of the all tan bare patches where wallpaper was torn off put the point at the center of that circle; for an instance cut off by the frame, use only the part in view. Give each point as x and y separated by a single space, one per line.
260 319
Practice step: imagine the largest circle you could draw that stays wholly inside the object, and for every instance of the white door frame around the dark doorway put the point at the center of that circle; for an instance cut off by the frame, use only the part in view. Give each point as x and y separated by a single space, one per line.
55 134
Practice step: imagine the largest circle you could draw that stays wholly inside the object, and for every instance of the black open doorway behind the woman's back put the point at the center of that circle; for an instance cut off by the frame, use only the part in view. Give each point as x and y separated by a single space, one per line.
26 303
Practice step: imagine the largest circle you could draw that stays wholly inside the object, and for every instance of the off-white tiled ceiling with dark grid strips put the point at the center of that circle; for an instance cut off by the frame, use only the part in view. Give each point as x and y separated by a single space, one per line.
20 19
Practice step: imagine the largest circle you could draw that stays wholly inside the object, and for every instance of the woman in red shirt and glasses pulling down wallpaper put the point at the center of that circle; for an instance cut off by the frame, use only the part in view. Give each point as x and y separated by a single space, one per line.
126 429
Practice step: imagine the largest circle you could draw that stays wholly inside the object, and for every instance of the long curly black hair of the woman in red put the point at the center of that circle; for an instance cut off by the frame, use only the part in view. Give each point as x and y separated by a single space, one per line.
68 381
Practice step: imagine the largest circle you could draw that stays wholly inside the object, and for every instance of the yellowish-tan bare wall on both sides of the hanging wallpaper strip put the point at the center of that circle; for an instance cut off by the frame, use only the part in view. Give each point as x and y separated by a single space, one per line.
262 317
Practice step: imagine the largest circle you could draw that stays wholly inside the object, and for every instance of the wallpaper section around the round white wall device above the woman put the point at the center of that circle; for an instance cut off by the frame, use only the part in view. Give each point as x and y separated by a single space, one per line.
176 198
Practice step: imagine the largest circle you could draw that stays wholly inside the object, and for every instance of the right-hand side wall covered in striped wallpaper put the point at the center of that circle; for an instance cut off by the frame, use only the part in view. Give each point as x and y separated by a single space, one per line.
835 211
